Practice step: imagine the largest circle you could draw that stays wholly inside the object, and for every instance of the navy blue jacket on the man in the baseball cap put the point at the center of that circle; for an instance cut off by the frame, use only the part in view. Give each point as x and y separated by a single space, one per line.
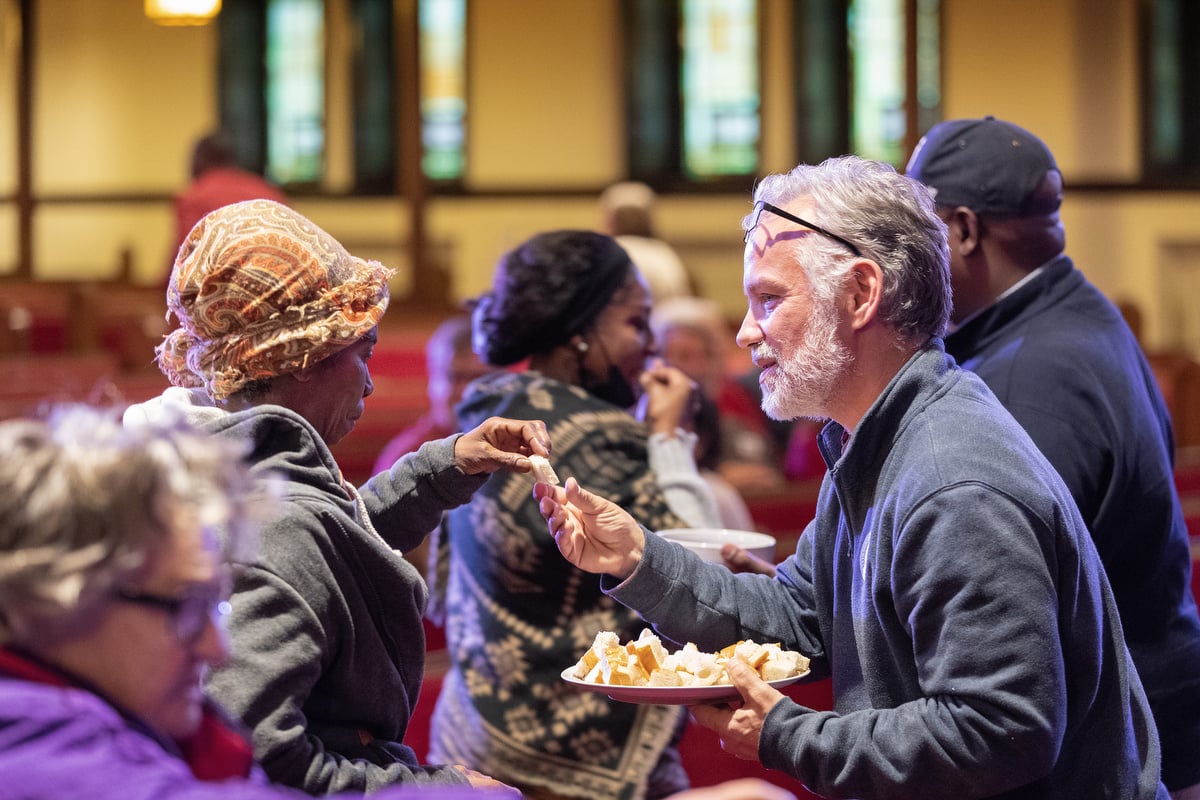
1061 359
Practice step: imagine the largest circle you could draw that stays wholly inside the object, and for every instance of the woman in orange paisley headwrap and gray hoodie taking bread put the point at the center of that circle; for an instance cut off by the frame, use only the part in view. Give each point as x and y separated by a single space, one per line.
277 327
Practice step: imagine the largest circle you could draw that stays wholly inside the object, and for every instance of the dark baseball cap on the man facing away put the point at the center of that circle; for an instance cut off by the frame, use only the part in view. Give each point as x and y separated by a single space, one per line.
988 166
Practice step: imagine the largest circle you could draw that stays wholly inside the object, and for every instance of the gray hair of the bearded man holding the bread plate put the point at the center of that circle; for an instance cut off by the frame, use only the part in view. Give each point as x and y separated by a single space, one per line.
891 219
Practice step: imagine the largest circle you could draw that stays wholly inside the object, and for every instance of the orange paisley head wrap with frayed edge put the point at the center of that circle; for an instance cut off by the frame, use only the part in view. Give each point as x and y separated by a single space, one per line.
262 292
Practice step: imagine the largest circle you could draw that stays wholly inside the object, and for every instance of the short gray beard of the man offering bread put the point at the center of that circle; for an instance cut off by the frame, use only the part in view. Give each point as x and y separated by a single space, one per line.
807 378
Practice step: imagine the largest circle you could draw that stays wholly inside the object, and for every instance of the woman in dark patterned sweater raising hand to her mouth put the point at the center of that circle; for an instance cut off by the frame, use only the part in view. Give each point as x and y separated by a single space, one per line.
574 305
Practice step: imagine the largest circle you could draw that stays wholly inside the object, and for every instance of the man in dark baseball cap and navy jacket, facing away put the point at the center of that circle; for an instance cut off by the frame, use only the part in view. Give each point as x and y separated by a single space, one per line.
1060 357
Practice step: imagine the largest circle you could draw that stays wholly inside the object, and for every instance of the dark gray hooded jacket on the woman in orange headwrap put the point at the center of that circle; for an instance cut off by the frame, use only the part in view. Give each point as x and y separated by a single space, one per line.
328 647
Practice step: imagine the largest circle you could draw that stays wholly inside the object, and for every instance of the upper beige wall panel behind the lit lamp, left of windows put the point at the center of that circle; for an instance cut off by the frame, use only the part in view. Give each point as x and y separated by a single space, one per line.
117 99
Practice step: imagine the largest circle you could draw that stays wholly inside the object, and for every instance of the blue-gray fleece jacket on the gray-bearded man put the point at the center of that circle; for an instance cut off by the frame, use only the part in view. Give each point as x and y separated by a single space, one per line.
951 588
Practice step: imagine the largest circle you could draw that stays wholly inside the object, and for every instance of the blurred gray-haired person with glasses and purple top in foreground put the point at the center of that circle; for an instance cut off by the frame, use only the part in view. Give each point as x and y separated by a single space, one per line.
113 593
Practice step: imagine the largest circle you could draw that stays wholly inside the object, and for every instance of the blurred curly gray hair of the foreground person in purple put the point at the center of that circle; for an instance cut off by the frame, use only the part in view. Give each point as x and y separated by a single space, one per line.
83 502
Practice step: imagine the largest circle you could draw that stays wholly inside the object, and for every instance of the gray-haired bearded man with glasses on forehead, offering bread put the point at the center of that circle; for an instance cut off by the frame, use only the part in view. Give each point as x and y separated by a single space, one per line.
947 582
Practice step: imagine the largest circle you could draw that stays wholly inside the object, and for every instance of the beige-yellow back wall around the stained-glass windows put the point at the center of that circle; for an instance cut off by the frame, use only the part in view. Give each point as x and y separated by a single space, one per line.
119 101
